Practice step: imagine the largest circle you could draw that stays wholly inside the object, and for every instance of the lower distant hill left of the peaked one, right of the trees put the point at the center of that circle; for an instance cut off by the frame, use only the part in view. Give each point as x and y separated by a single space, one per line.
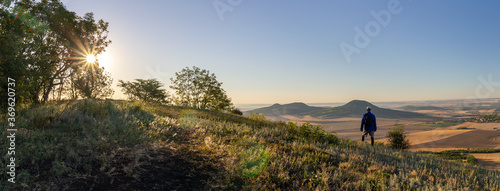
286 109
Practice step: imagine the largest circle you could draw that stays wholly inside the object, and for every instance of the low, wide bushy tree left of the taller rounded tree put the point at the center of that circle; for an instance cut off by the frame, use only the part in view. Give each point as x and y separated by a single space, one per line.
144 90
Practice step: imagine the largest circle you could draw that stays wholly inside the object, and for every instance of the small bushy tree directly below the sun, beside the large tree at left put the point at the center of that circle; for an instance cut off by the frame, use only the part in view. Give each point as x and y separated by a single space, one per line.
93 82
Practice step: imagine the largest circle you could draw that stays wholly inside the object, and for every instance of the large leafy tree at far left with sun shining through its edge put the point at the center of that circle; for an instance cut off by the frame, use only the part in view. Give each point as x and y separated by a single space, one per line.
45 45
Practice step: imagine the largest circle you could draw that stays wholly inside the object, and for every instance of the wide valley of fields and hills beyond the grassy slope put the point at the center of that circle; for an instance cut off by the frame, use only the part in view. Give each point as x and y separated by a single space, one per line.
430 125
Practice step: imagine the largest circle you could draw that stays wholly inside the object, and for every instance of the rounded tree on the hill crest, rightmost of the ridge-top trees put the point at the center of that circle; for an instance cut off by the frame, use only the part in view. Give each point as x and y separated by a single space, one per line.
199 89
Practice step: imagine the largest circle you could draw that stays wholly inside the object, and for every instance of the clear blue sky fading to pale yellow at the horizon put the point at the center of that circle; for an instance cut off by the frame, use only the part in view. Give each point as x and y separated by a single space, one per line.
291 51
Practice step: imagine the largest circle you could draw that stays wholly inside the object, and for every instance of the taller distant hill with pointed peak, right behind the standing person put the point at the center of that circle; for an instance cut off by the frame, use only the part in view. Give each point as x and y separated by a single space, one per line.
357 108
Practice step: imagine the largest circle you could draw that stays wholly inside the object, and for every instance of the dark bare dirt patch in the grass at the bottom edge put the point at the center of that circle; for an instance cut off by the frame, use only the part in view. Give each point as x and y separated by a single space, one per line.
162 169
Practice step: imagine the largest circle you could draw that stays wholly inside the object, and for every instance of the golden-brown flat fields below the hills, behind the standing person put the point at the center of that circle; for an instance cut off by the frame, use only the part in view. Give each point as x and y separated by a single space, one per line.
423 137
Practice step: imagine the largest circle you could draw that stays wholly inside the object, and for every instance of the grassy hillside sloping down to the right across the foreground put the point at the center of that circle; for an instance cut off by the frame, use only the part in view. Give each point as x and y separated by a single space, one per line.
102 145
